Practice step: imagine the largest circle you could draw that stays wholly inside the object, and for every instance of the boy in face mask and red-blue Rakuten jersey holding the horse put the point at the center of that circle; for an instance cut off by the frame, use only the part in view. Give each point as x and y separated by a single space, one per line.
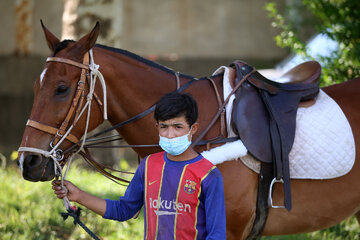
181 191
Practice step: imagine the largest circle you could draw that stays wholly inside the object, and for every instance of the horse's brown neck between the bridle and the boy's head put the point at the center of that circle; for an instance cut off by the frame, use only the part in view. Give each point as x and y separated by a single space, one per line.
133 87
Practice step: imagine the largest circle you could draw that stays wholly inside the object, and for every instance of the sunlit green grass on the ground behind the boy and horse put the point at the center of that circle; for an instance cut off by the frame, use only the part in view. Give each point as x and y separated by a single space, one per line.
31 211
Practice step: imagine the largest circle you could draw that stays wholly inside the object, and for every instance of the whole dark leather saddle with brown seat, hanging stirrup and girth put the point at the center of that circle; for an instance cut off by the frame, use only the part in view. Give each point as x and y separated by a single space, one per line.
264 117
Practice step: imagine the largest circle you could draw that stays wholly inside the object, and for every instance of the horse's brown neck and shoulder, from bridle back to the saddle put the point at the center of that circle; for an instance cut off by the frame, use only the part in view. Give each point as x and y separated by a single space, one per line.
134 86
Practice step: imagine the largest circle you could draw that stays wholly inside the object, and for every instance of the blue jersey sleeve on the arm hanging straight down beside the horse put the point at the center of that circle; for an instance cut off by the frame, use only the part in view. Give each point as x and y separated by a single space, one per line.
214 201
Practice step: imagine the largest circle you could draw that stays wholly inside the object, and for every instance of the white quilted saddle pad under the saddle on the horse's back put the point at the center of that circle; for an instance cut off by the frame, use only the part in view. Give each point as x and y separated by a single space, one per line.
324 145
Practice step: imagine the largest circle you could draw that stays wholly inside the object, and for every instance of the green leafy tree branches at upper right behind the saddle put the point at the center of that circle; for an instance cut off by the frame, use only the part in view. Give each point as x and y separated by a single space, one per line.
337 19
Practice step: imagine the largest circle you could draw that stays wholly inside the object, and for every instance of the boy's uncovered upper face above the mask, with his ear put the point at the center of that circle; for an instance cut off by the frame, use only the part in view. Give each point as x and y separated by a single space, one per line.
175 127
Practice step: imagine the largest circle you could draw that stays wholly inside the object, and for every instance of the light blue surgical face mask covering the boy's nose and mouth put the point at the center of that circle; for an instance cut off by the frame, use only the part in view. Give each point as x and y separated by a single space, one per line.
175 146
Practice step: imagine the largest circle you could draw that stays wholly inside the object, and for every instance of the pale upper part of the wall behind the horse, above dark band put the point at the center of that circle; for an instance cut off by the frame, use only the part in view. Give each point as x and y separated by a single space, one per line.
182 28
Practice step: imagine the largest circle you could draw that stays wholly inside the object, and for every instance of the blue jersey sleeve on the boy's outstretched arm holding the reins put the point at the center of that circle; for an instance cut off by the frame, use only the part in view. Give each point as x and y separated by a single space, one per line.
129 204
